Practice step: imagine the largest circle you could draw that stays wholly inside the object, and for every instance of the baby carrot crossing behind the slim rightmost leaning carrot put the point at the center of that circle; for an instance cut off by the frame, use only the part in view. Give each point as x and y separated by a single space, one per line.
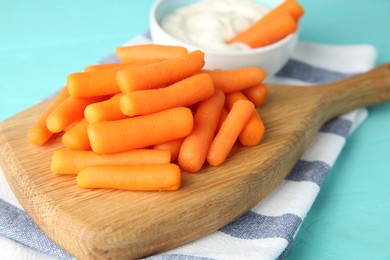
253 131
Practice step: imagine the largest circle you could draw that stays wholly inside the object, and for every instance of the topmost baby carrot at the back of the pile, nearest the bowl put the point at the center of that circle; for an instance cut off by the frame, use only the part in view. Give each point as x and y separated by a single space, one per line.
132 53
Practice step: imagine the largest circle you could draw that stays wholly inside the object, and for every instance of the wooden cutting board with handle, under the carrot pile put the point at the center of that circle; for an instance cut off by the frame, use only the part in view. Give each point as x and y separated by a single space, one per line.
114 224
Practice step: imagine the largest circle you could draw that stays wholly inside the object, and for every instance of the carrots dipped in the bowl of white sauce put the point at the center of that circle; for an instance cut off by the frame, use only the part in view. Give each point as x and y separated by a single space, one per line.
274 26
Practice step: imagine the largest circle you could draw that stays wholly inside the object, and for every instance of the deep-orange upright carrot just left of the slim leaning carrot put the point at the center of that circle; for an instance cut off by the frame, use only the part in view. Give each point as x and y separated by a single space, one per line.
194 149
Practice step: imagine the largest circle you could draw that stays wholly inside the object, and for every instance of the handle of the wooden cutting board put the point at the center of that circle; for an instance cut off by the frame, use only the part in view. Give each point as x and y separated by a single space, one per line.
370 88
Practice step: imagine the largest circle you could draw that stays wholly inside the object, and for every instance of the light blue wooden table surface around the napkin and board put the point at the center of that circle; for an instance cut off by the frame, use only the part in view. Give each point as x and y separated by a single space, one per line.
43 41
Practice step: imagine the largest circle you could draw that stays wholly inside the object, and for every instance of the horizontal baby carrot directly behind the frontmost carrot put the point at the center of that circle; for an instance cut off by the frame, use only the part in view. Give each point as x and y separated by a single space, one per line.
72 161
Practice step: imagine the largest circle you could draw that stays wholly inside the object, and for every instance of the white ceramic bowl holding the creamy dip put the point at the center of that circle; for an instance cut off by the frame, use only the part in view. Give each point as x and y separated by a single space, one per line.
271 58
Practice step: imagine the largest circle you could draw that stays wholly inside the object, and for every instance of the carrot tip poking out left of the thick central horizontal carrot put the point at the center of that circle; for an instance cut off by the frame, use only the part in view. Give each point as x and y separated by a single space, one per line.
76 138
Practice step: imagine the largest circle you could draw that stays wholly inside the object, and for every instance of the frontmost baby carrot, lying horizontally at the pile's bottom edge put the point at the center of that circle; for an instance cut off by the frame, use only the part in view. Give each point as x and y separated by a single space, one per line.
157 177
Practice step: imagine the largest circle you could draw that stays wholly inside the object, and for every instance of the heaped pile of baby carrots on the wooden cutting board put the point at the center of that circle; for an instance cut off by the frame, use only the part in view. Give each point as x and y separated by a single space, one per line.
135 125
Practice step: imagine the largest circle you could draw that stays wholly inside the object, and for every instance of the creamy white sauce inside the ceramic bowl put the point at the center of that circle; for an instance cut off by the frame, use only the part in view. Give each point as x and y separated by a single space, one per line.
209 23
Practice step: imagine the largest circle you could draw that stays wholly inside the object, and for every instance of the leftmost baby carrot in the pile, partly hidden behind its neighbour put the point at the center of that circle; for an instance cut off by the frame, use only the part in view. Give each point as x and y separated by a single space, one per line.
39 133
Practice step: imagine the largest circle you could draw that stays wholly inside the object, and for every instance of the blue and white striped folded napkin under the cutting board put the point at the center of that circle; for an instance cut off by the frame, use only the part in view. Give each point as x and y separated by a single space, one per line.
267 230
